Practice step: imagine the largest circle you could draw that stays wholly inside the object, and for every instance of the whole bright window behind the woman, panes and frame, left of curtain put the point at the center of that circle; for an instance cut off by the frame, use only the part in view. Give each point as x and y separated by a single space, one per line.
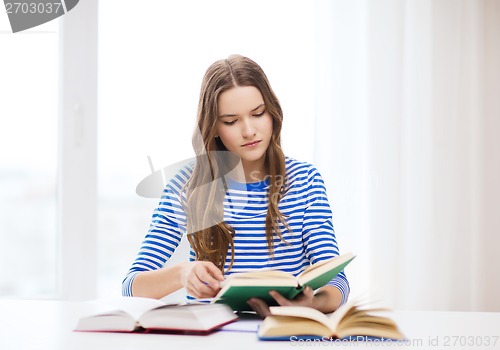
150 71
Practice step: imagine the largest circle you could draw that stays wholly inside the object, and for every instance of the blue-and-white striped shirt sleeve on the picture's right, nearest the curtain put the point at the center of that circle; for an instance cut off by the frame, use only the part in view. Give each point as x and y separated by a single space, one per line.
318 233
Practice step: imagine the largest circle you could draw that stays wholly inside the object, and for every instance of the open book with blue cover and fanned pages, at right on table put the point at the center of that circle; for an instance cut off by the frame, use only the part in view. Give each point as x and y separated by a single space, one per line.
350 321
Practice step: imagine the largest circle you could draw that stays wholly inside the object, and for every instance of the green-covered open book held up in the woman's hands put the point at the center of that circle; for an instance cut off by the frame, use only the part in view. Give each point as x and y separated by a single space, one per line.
238 288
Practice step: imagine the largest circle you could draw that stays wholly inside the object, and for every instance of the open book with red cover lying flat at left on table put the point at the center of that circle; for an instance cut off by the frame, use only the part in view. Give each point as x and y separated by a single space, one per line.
131 314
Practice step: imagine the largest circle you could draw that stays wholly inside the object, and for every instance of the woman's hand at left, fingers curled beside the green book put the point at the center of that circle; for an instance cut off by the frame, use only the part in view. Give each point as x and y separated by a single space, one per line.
201 278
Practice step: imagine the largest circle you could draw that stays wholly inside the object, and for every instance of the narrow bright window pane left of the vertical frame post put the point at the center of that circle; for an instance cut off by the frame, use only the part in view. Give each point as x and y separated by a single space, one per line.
28 160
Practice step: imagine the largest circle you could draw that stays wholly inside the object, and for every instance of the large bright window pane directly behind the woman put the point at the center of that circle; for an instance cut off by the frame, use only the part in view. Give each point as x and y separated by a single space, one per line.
150 72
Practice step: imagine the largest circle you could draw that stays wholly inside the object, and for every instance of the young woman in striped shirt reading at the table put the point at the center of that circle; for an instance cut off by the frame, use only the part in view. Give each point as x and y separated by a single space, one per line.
271 211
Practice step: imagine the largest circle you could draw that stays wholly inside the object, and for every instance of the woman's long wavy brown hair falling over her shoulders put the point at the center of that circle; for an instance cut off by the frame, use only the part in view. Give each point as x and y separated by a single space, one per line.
208 234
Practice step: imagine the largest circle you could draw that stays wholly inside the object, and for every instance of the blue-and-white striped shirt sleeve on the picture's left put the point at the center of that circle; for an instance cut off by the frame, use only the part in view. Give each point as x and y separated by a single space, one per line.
168 225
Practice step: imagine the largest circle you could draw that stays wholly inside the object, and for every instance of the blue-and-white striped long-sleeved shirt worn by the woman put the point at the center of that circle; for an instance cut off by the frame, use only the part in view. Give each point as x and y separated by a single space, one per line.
304 205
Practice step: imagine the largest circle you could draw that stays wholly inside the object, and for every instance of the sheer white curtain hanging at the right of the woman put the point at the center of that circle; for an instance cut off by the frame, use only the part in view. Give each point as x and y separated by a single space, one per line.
408 141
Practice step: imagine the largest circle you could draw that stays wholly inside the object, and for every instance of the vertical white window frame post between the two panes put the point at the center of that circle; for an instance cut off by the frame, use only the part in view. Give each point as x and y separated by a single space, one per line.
77 154
